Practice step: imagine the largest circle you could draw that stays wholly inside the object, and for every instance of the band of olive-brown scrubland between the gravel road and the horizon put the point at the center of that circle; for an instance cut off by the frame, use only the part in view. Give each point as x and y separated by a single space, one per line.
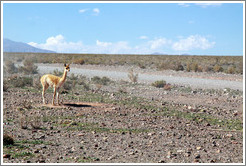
226 64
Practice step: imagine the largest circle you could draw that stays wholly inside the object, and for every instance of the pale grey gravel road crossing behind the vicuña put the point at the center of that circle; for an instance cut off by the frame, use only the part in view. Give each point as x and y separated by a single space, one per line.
193 79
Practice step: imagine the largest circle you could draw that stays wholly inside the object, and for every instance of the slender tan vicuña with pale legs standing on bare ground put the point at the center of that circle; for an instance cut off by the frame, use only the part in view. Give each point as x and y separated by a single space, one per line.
55 82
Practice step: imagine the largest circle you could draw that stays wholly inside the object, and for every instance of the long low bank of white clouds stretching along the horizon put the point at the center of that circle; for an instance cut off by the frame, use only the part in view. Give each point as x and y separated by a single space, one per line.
59 44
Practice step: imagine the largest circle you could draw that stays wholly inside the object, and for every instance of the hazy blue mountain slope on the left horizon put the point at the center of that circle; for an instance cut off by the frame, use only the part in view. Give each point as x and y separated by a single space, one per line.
12 46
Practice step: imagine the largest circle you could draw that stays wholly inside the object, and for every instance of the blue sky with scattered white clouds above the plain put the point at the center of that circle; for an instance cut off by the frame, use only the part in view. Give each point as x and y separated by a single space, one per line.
127 28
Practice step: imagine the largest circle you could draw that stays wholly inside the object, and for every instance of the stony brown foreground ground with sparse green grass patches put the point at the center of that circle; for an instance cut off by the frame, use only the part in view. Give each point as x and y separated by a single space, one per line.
125 123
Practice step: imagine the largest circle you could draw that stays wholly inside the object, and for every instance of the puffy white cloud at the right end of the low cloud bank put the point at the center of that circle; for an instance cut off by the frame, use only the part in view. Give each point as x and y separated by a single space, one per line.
192 42
